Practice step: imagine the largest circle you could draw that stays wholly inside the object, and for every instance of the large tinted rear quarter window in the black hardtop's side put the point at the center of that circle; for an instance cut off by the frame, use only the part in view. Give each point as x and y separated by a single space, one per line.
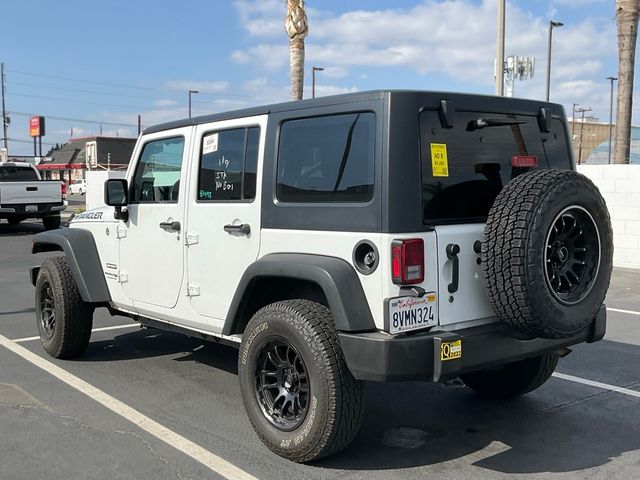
327 159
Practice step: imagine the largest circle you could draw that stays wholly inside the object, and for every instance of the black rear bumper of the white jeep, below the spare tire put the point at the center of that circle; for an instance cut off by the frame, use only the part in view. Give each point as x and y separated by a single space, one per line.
379 357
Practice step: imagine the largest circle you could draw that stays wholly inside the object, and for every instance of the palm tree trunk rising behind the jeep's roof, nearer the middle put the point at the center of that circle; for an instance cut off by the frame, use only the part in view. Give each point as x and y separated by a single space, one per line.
295 23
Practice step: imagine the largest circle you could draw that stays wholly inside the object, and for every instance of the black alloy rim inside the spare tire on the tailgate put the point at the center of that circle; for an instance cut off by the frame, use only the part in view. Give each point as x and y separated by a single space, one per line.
572 255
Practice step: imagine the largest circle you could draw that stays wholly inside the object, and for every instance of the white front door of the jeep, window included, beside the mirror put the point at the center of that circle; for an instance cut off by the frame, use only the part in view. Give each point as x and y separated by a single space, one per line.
151 246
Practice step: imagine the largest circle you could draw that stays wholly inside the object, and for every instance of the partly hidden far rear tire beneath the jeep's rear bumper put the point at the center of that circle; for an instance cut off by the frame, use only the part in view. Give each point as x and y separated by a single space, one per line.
512 379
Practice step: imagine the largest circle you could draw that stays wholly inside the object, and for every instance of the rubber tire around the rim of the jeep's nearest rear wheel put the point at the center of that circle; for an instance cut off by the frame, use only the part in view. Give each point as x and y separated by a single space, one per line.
335 398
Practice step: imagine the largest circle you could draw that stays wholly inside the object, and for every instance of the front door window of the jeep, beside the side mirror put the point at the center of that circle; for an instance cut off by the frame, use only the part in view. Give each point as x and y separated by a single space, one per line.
157 177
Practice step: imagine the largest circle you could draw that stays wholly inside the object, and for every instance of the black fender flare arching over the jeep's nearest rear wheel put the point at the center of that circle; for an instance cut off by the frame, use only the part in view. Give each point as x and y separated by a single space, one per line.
337 279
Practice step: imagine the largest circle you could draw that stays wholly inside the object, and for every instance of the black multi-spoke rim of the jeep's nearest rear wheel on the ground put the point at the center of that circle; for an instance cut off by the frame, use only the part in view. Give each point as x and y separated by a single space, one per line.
282 385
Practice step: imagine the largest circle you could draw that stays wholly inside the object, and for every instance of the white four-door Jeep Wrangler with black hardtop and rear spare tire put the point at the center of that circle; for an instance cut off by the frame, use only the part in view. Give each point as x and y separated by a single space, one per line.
383 236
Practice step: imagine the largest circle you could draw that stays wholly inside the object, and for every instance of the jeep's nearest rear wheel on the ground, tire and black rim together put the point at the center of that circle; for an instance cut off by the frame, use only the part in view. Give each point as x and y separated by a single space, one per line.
301 399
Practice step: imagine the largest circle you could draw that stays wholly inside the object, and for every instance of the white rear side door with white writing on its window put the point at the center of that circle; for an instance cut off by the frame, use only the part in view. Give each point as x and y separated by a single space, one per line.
223 234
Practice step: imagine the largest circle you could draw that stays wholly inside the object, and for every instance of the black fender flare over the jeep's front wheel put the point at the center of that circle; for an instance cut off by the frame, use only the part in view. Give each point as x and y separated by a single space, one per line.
80 249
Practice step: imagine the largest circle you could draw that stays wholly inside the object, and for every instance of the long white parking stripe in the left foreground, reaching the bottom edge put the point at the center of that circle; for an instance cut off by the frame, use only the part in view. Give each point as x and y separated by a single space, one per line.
171 438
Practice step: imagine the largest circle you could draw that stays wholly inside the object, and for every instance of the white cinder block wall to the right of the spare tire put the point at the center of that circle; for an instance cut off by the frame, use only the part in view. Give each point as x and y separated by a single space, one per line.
620 187
